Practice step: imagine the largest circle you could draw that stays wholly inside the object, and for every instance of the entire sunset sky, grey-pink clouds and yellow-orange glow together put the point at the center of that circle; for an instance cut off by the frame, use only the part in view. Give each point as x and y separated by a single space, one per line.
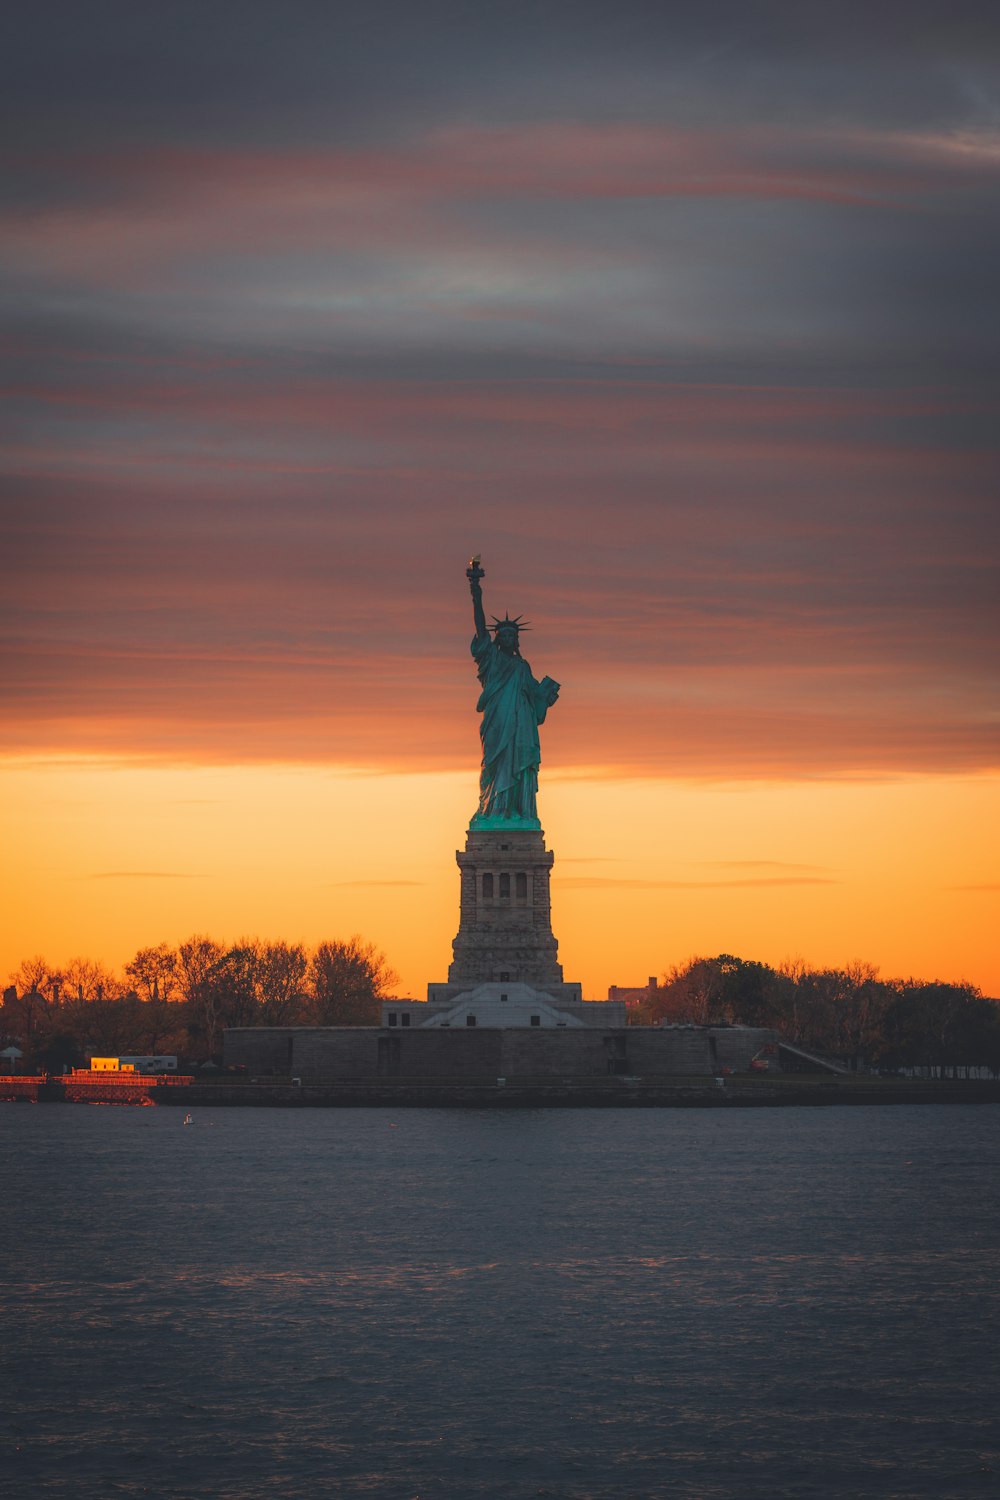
684 317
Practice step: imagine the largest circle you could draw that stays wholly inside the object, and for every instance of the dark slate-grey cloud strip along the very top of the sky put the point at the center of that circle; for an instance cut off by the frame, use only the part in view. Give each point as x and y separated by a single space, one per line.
314 71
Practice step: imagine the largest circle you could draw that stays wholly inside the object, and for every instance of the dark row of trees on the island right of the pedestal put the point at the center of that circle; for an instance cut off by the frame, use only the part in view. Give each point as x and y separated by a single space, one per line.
842 1013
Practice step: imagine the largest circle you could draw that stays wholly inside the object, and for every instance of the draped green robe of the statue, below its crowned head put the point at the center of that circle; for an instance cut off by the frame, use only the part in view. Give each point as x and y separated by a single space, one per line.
512 704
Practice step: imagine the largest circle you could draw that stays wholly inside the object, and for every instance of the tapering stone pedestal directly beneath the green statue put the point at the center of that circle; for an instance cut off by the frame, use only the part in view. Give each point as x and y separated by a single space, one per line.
506 917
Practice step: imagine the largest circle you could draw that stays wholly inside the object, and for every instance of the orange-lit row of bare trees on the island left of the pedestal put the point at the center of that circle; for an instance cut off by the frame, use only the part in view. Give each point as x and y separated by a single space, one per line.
182 1000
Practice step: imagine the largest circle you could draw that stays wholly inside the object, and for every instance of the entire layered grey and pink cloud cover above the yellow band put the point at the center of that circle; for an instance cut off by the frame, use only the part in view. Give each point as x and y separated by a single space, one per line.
684 319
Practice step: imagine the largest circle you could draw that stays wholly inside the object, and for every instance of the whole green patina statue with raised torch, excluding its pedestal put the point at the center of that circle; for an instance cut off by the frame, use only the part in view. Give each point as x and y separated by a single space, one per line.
512 704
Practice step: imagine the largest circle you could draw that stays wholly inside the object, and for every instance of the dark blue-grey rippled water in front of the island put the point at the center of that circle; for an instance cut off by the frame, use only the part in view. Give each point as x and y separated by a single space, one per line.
701 1306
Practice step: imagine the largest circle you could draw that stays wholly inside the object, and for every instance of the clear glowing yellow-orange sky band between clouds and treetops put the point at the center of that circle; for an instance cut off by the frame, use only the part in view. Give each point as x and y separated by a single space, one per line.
113 857
